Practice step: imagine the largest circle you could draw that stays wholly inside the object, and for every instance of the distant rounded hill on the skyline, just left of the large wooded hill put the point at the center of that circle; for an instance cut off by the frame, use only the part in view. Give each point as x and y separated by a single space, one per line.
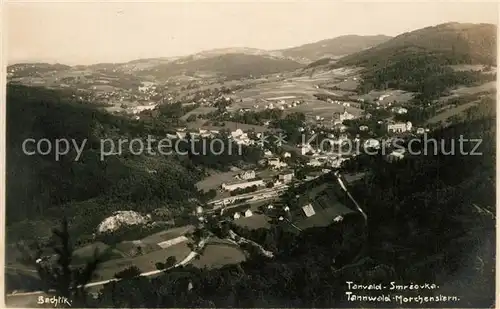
339 46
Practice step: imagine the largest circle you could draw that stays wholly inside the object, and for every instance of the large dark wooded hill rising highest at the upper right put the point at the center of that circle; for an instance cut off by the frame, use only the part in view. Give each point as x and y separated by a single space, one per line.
419 61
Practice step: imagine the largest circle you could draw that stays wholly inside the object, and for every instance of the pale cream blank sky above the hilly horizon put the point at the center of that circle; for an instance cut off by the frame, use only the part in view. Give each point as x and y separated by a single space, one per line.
93 32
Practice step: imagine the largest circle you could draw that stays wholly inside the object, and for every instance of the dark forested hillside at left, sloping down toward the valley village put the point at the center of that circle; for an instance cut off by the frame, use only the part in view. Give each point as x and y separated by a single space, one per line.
41 189
